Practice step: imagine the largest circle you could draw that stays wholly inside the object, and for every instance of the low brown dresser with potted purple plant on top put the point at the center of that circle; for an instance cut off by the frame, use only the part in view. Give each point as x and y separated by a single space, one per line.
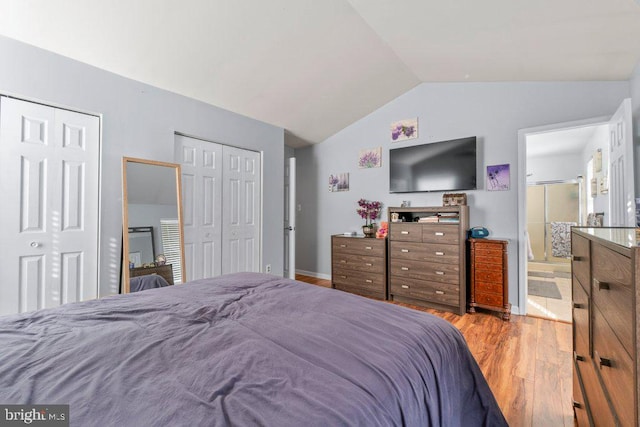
359 265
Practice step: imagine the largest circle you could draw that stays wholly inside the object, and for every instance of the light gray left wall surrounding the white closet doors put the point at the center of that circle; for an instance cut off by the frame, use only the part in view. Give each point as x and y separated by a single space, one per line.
139 121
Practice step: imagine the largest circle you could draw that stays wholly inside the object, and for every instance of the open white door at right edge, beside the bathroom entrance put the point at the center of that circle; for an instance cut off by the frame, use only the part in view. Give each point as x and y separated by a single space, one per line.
621 179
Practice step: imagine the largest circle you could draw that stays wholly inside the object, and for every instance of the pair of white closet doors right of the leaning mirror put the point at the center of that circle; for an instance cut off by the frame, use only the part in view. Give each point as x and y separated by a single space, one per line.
221 195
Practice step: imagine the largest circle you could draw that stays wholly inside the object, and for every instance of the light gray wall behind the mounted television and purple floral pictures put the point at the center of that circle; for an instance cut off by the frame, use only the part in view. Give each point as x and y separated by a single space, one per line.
494 112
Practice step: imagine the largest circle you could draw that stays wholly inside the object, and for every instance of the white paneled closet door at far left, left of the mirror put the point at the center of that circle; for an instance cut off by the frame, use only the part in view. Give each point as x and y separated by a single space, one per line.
49 166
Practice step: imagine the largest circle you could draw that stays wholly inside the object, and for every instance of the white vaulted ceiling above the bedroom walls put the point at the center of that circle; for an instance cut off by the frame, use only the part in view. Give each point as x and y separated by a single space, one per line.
314 67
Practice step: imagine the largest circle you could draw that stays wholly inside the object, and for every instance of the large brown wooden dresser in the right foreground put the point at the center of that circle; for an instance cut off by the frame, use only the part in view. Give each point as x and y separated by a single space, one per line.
606 281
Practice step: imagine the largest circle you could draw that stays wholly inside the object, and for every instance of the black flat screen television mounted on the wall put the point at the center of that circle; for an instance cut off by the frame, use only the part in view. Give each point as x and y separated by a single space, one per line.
439 166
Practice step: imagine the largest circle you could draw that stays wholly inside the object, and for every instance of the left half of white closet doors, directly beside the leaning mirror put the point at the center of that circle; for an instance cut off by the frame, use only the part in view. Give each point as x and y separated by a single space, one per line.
201 163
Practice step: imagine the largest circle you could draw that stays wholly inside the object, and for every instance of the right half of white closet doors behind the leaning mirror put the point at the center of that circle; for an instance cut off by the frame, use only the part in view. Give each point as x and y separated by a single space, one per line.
241 210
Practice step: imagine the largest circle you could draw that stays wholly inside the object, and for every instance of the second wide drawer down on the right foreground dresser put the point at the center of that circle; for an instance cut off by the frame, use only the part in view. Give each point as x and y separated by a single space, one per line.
615 367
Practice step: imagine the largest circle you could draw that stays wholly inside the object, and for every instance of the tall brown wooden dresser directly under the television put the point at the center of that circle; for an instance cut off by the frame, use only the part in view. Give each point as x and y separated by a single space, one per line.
427 260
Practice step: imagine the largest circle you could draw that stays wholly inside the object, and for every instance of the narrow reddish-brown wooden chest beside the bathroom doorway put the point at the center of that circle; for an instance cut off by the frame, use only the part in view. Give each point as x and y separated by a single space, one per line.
489 276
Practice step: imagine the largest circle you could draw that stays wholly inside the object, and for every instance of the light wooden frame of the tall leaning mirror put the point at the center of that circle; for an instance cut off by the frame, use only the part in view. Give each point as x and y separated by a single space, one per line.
125 215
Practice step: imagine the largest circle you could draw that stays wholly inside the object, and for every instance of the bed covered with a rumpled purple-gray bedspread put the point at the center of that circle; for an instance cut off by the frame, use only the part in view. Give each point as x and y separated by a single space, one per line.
244 349
